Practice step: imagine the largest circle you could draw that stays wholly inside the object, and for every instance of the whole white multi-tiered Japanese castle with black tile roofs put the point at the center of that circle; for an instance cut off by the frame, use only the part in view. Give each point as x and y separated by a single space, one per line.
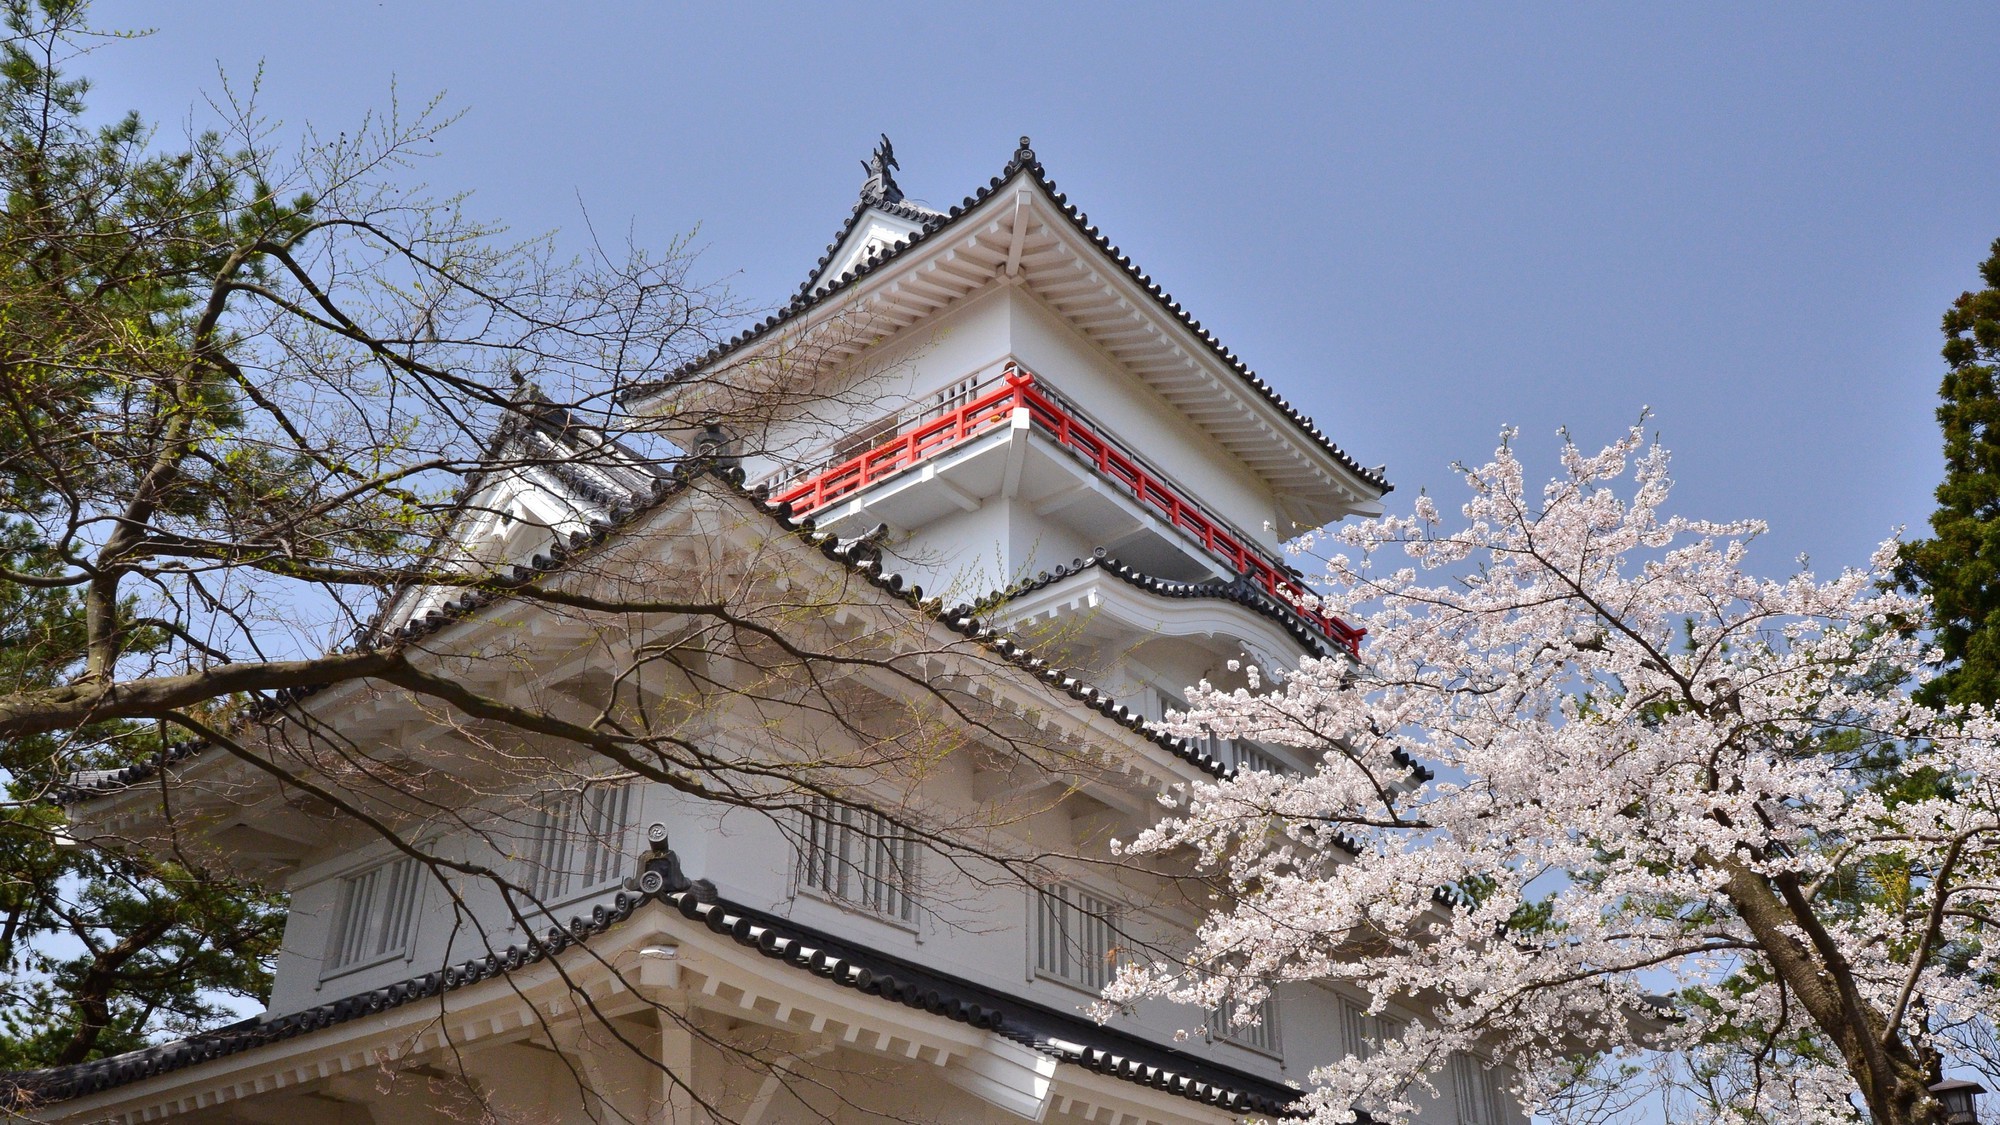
1039 487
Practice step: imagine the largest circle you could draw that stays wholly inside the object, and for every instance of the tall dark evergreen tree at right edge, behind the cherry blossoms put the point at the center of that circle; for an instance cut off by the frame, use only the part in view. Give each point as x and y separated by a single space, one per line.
1959 568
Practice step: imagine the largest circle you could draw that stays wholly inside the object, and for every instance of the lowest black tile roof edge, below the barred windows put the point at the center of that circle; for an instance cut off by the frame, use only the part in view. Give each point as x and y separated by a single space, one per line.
1063 1036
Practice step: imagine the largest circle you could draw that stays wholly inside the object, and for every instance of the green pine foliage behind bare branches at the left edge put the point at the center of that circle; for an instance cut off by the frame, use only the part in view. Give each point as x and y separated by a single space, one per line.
99 243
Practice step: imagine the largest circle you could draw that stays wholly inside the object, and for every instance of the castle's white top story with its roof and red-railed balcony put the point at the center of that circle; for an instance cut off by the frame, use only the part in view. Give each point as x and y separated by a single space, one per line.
1005 395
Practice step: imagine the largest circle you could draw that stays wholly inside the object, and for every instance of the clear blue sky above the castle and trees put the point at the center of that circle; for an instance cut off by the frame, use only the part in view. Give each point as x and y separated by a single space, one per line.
1419 221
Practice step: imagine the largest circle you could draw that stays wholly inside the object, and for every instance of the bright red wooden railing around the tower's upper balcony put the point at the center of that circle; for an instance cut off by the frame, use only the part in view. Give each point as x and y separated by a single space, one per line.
993 409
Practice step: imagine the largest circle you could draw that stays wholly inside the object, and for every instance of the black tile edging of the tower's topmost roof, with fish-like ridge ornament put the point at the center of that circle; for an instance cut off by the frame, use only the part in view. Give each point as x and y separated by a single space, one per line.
1025 161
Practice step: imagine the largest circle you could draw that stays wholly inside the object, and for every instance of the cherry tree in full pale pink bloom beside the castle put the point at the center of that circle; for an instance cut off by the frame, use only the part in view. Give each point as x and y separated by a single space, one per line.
1665 818
